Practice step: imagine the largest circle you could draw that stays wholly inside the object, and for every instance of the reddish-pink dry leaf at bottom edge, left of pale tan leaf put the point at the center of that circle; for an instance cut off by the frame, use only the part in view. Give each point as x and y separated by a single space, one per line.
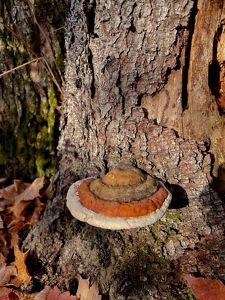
54 294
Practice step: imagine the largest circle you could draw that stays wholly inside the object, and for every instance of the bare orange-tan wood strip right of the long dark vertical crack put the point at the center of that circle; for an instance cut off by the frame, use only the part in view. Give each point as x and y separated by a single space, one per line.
202 111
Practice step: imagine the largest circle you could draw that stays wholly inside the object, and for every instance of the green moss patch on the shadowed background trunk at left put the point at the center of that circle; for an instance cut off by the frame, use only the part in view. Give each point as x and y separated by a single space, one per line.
31 148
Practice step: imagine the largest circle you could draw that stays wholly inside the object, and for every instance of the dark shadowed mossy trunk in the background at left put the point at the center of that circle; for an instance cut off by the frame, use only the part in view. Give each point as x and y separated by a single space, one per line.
31 38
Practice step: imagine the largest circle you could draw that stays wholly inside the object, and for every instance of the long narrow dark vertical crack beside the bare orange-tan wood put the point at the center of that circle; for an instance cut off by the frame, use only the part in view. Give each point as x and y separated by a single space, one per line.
191 28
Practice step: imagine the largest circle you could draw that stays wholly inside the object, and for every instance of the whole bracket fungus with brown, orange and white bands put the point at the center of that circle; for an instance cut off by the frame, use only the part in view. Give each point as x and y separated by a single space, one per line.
121 199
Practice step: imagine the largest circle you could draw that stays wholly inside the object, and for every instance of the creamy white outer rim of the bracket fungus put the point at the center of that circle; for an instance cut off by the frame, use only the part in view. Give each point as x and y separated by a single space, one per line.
114 223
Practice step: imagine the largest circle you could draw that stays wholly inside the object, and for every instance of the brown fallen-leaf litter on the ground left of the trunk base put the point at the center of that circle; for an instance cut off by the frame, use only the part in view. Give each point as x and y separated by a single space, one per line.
20 207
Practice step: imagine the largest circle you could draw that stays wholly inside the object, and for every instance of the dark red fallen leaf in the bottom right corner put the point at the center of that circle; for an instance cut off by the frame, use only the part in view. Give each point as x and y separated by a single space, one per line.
205 289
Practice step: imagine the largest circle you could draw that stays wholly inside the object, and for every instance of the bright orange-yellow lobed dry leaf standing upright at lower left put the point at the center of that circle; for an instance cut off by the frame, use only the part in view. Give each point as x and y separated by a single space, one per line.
22 275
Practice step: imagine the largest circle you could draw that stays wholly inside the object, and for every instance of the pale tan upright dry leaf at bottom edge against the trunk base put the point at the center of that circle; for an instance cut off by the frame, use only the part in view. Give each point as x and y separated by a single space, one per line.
86 293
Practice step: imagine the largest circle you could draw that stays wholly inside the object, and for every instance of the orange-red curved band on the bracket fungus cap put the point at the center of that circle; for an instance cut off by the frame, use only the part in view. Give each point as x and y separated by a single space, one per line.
115 209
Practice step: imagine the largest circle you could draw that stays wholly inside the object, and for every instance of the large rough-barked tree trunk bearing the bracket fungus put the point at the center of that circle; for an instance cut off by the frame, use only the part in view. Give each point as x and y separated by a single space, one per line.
137 93
